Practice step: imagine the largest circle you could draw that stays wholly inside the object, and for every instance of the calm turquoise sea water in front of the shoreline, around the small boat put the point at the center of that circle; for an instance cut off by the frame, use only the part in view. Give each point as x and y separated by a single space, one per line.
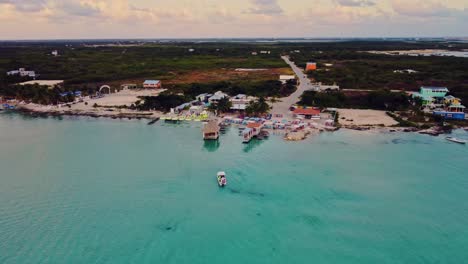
84 190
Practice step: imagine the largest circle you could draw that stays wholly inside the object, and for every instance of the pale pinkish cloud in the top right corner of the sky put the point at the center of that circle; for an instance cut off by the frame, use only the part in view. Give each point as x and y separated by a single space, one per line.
424 8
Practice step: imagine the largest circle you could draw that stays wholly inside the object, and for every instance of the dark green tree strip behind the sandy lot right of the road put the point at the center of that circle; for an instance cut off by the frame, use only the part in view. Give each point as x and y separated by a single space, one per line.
379 100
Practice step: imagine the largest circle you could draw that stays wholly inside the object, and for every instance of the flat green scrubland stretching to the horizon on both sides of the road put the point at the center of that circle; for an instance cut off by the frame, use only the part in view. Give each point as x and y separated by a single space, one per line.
84 66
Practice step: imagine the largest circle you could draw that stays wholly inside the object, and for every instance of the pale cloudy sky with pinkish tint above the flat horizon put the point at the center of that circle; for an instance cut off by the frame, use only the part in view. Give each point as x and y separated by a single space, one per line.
101 19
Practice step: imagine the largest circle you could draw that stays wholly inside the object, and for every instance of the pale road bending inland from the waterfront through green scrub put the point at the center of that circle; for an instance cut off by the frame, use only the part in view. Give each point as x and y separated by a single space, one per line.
286 102
